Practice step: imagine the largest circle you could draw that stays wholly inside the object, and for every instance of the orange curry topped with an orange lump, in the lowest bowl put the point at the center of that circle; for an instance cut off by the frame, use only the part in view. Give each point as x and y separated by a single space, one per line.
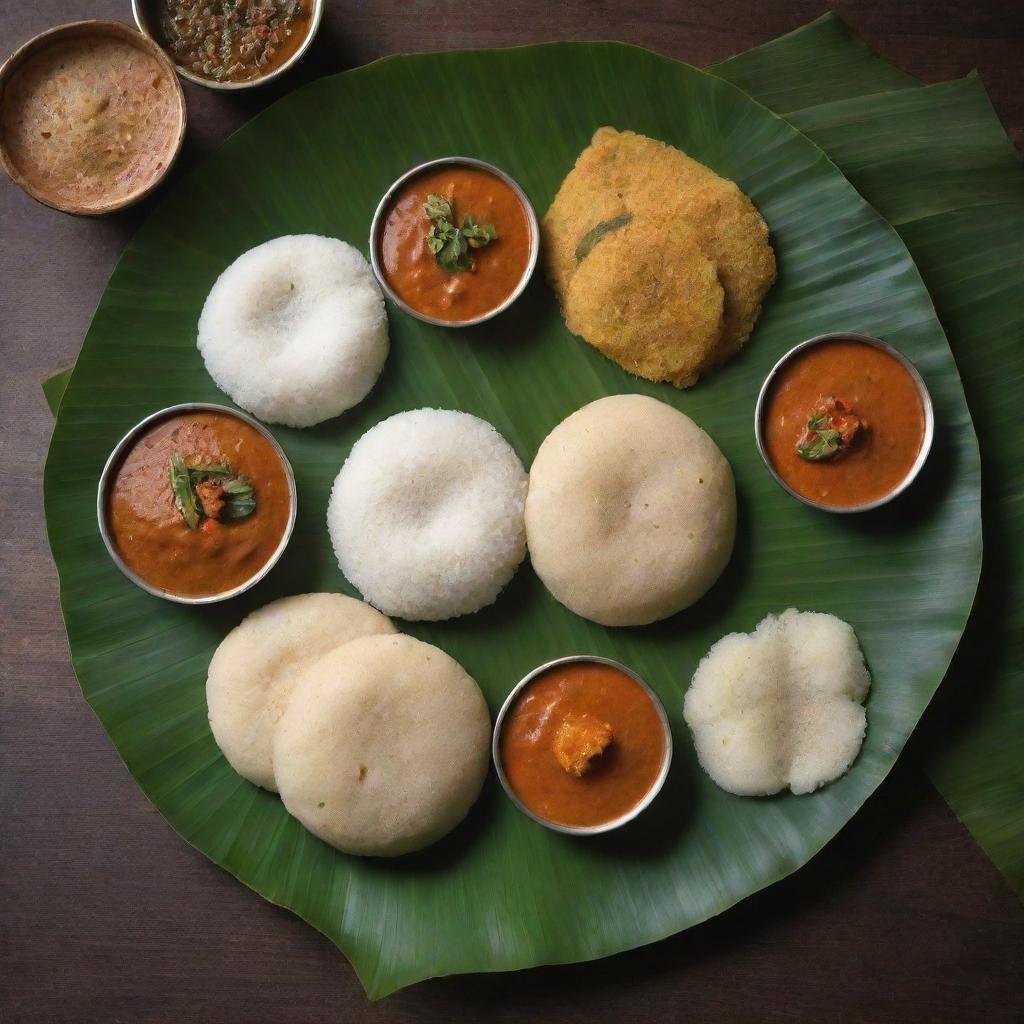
583 745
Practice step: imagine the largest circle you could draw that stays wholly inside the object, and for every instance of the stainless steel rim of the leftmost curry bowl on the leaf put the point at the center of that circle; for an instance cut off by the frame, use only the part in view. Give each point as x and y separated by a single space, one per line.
115 460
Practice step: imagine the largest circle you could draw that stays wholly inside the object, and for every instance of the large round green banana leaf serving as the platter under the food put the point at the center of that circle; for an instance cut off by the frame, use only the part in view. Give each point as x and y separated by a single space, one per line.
503 893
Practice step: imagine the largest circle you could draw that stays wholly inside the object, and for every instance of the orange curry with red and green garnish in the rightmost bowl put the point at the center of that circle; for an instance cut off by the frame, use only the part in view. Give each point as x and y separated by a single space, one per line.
844 423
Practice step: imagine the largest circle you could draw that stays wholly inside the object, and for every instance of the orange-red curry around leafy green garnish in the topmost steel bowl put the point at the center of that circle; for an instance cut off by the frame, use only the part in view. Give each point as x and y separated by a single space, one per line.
414 272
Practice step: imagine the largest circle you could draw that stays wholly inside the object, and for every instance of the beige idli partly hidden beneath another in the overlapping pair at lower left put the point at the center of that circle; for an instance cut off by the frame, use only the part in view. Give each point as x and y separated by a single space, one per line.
255 668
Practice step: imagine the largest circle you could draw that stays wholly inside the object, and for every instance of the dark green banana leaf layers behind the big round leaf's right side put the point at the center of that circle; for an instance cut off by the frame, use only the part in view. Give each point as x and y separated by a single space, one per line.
936 162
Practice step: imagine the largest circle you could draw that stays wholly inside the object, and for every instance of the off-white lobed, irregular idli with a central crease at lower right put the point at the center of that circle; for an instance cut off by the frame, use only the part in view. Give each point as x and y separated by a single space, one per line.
780 707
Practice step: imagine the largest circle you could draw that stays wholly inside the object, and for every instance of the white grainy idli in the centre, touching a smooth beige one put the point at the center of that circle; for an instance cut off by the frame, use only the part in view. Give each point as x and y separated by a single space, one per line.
426 516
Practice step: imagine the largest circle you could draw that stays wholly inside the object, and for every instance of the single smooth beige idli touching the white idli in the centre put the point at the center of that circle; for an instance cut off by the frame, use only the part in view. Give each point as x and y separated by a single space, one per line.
631 514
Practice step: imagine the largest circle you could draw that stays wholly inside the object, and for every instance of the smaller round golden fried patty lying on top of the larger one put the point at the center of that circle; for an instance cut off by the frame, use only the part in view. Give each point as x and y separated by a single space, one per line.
648 297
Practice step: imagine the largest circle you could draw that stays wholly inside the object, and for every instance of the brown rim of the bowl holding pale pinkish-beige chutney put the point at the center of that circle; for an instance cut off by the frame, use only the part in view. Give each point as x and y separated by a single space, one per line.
84 30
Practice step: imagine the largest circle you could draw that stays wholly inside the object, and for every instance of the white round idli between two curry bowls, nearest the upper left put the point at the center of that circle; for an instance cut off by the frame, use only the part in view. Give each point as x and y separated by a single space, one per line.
295 330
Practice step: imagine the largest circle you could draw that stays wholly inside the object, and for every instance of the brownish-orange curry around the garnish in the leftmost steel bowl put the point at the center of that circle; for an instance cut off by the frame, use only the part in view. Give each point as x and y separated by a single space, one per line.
147 524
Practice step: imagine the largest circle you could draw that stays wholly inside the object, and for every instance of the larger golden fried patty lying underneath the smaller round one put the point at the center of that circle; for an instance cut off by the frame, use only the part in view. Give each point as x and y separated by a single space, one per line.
625 174
